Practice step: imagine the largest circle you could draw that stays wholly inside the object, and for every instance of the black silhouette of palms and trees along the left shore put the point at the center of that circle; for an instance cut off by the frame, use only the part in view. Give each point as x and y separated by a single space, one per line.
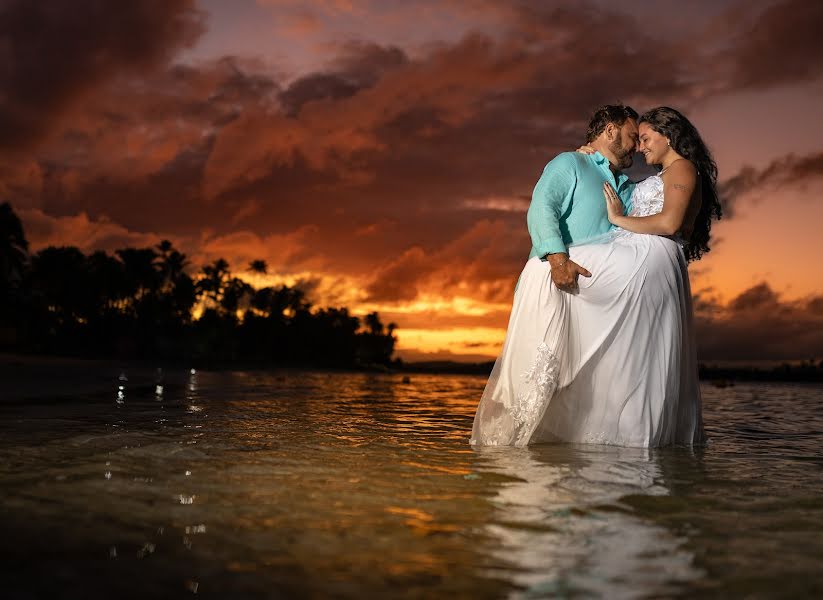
138 304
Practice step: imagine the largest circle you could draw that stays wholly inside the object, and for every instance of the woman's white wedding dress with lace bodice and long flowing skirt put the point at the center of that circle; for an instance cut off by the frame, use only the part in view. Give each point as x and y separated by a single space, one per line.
613 363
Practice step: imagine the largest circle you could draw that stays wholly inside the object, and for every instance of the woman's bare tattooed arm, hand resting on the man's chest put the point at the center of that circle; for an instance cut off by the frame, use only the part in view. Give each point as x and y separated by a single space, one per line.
678 186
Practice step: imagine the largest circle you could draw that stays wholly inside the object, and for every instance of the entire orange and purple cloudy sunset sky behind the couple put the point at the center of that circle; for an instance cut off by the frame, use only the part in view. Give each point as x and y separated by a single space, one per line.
381 154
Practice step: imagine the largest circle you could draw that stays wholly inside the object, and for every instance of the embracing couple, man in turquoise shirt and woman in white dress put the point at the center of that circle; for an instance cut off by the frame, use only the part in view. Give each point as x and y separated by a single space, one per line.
600 344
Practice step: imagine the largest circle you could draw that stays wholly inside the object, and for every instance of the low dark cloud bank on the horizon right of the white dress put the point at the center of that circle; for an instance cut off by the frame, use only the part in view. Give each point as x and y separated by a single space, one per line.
758 325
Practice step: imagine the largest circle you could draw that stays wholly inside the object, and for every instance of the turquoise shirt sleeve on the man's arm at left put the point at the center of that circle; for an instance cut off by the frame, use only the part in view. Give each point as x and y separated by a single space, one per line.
554 187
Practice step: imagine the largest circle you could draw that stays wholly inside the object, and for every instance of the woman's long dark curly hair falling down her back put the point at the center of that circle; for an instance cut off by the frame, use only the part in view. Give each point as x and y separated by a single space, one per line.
686 141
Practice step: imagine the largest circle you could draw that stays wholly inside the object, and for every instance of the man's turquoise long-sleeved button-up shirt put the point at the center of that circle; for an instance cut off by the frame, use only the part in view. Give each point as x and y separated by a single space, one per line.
568 206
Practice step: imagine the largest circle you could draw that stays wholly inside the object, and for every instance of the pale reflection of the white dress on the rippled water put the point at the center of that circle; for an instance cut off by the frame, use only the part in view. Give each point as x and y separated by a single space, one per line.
561 525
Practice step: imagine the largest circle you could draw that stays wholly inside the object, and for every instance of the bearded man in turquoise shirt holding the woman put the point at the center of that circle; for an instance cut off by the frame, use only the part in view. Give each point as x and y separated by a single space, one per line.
568 205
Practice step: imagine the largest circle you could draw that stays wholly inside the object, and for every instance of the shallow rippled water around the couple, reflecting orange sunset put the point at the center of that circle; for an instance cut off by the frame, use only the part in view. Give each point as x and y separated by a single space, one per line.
311 484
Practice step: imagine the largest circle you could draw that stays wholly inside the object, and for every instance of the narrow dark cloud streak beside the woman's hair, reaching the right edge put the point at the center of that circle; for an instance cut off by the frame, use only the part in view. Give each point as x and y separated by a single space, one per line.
796 170
